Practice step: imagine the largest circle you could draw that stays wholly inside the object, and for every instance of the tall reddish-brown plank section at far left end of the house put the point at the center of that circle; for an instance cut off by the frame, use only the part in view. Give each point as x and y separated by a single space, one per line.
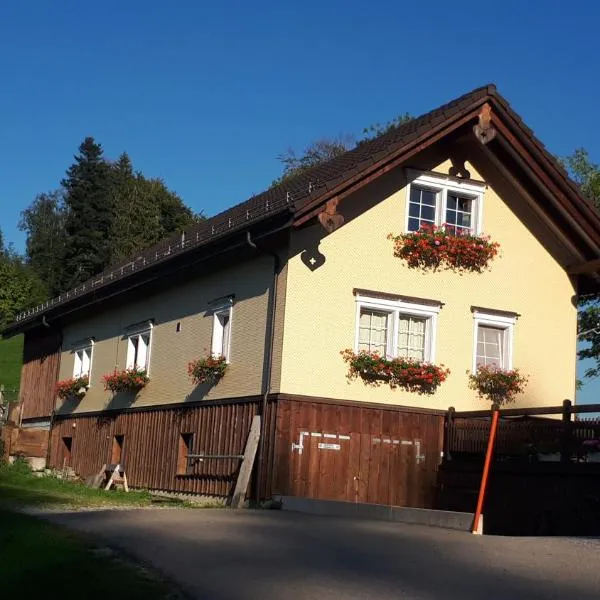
41 361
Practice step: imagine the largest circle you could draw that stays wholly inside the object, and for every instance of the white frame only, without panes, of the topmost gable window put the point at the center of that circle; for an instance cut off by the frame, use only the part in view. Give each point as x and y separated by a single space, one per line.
441 185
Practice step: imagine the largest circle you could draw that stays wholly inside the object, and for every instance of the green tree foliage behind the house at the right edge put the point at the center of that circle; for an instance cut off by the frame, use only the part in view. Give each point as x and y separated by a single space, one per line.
587 175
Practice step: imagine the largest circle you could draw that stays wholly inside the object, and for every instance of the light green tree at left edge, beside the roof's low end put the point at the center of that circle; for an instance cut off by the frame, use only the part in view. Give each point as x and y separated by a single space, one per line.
20 287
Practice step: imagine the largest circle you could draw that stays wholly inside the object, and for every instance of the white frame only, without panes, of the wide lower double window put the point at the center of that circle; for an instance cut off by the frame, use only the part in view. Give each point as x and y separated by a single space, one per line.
395 308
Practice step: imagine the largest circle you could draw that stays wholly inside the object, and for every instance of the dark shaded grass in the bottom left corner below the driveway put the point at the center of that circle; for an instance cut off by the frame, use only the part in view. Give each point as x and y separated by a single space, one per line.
40 560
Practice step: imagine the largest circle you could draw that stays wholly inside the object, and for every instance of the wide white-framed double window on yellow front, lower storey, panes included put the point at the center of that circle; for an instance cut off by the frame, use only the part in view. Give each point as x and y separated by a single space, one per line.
396 328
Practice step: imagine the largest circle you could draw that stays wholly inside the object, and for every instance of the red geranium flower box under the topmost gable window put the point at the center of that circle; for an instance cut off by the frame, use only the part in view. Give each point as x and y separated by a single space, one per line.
444 248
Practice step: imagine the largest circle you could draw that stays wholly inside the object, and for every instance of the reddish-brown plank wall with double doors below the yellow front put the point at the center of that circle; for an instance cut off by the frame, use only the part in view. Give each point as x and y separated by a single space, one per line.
381 455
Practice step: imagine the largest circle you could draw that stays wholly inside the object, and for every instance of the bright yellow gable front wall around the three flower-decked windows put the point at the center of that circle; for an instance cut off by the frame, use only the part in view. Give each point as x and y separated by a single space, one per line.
526 278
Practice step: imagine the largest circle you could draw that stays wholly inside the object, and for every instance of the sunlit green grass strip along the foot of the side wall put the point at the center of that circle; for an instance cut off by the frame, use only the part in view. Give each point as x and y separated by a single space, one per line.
18 487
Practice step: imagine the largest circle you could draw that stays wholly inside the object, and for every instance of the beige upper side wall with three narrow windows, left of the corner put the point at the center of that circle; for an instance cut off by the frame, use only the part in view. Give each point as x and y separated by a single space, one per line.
171 351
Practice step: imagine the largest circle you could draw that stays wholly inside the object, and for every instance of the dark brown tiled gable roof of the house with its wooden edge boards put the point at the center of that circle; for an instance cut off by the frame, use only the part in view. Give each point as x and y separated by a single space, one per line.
303 196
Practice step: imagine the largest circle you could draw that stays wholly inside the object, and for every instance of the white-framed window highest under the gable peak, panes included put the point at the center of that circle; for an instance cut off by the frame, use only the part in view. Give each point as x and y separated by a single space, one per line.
438 200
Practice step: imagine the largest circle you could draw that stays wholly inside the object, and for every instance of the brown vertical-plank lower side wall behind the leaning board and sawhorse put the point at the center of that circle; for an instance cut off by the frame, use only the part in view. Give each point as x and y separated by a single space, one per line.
151 444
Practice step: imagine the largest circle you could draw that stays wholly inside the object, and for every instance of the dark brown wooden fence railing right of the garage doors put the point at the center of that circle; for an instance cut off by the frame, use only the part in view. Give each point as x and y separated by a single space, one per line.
527 433
